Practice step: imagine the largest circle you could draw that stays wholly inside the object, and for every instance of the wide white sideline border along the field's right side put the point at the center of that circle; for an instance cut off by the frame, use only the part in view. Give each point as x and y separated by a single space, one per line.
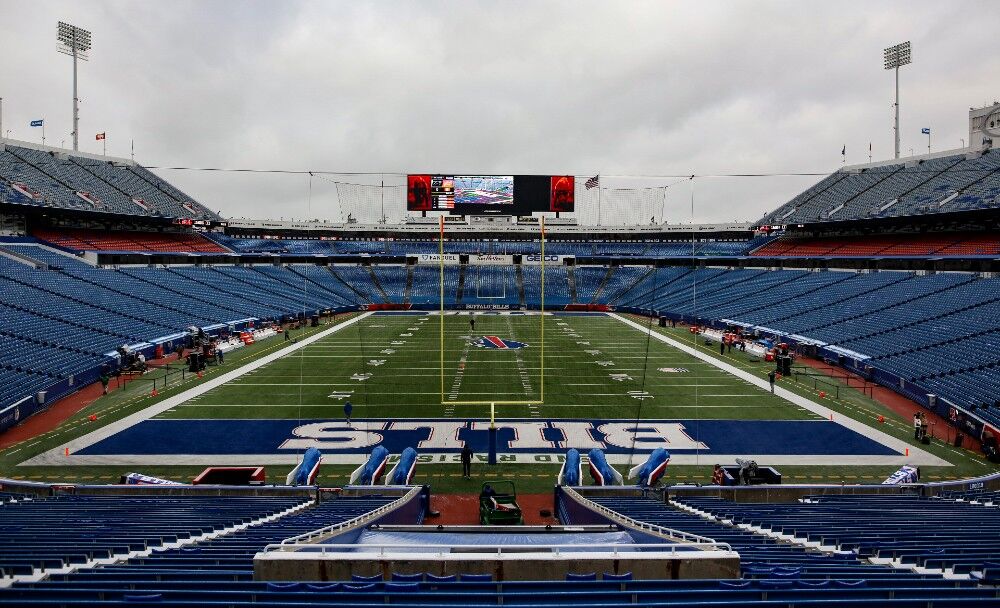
917 455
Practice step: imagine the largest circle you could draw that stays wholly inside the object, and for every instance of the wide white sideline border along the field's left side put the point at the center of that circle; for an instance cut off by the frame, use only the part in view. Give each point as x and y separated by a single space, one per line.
56 456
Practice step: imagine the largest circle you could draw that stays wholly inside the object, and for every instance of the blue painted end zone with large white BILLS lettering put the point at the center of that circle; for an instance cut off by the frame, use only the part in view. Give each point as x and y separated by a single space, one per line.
770 437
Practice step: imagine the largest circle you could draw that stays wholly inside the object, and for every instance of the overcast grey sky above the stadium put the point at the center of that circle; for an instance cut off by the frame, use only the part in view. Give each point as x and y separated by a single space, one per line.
616 88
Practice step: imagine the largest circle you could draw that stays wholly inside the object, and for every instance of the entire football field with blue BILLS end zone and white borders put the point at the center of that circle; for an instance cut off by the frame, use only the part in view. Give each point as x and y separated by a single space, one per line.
427 381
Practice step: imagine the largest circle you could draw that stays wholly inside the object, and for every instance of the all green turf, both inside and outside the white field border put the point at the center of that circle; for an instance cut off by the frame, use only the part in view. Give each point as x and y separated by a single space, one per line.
408 385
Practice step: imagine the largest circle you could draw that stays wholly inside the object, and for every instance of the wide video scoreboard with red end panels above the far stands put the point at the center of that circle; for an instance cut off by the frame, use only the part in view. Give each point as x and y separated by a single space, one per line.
490 194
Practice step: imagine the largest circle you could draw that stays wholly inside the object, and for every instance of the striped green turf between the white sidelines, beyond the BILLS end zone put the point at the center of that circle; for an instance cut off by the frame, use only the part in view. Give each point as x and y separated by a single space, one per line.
407 382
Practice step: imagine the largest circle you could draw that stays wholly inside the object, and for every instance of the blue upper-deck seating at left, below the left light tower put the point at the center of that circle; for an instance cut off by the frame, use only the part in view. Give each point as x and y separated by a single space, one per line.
64 181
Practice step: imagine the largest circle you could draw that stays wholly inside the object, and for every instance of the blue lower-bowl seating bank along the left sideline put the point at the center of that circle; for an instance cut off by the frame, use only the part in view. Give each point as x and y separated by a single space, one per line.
60 322
